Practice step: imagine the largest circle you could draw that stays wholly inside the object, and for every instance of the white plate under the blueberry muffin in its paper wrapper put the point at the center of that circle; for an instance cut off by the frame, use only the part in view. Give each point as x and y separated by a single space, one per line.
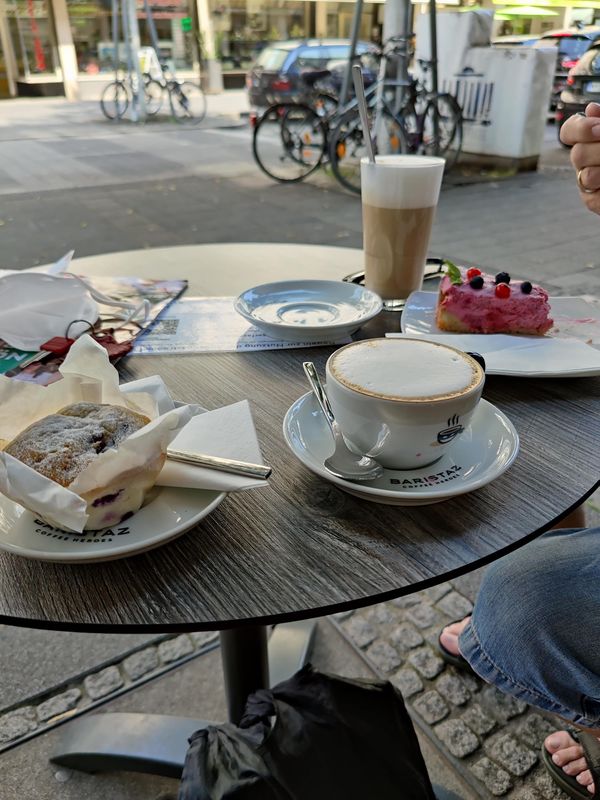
169 513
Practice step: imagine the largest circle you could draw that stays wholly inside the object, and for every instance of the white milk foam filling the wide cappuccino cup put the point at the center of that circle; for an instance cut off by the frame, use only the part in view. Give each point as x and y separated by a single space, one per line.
405 369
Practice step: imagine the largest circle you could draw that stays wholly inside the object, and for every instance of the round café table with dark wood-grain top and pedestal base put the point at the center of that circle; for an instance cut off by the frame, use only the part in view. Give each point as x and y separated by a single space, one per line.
300 548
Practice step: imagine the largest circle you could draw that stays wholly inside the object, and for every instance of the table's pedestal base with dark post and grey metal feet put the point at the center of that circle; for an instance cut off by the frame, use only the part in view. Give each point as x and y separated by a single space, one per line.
157 744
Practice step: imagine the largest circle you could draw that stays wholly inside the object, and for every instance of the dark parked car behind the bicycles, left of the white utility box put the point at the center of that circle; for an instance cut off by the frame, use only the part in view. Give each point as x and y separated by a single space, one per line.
277 73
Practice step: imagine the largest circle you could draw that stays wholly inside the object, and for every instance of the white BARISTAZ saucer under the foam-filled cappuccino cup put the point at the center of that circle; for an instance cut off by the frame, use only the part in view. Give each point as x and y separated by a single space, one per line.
480 455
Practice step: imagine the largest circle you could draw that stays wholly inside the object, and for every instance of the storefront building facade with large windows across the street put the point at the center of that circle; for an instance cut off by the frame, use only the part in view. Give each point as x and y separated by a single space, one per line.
56 47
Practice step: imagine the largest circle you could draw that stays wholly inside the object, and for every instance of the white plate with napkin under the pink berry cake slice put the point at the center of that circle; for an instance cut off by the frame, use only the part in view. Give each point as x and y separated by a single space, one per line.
563 353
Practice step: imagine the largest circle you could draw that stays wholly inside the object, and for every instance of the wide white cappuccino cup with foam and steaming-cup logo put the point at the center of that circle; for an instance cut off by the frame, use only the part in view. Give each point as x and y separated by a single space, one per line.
402 401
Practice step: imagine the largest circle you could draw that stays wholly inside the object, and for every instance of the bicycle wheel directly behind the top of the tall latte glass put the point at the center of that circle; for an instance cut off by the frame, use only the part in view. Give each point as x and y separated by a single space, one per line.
347 146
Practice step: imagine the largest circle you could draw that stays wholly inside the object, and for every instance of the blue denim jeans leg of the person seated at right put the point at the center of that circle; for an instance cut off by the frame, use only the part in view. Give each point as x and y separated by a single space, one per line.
535 629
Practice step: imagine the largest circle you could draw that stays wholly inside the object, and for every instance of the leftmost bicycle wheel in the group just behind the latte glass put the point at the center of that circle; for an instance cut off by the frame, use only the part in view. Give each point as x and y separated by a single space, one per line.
289 142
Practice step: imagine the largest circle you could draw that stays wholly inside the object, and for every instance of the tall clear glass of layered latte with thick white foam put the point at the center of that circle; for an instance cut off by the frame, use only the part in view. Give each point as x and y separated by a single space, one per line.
399 198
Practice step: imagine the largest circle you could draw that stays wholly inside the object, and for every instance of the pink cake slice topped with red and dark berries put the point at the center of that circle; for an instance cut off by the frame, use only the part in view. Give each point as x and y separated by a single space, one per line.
472 302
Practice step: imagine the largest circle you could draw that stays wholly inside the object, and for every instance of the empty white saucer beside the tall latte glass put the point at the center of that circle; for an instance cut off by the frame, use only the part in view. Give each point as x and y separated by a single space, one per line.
308 310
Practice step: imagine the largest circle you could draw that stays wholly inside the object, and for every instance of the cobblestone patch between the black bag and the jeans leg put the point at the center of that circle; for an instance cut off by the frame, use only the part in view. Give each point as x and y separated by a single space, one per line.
492 739
